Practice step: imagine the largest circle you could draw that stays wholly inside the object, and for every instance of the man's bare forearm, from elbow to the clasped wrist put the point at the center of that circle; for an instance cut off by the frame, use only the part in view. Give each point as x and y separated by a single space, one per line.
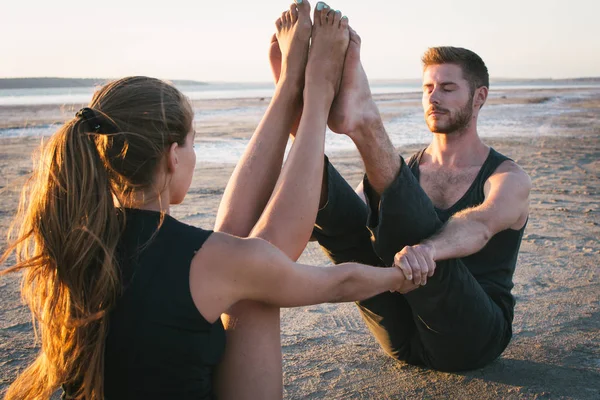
464 234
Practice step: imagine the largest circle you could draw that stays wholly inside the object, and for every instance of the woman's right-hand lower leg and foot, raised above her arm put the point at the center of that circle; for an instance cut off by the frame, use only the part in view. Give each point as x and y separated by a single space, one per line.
296 195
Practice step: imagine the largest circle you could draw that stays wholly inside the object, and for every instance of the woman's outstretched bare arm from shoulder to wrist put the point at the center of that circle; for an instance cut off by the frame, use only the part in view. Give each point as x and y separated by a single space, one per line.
253 269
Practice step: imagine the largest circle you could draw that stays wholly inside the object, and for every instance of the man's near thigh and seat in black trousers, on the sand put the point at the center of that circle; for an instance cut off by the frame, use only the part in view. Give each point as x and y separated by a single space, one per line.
459 326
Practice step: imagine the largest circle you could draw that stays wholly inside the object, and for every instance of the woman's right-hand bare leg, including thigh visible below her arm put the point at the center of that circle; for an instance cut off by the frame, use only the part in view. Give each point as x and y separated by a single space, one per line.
289 216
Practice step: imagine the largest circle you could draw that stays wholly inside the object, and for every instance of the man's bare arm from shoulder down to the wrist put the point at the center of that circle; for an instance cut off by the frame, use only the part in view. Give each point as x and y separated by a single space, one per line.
506 206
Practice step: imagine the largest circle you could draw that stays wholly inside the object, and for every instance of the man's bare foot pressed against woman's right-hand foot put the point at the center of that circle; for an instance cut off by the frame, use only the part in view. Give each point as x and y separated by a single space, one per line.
354 106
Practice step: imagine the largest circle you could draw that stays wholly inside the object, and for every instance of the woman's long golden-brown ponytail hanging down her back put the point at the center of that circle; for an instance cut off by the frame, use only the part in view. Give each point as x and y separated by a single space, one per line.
69 229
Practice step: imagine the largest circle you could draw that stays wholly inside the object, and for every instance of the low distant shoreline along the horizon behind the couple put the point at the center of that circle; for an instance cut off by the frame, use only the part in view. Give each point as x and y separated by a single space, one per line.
58 83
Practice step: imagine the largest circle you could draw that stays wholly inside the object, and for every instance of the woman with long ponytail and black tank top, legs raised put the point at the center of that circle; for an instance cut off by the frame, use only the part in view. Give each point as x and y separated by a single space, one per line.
128 300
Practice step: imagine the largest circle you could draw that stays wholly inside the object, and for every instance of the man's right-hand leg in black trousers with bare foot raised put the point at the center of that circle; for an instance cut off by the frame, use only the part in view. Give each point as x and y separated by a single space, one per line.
404 215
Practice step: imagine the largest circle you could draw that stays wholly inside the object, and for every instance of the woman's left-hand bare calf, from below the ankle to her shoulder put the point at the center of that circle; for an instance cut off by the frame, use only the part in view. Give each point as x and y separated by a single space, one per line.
255 175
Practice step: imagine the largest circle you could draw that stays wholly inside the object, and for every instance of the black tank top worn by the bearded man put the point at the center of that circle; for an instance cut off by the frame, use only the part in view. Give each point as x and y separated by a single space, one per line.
494 265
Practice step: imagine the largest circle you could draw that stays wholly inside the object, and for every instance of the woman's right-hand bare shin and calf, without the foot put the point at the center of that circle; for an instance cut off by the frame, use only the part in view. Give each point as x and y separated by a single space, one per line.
290 214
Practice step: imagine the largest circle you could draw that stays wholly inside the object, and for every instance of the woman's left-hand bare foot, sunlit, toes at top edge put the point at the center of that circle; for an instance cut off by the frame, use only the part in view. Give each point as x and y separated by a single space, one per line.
288 52
